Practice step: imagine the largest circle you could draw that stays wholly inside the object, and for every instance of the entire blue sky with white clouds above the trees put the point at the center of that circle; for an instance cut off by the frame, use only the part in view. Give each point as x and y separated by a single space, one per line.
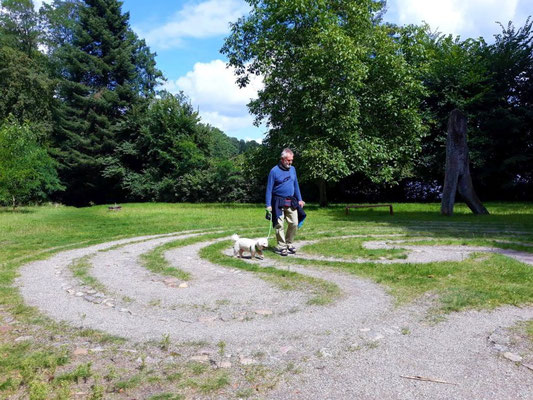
187 35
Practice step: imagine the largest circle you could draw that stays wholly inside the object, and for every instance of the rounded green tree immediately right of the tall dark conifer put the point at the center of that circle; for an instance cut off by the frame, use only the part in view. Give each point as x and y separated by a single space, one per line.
166 142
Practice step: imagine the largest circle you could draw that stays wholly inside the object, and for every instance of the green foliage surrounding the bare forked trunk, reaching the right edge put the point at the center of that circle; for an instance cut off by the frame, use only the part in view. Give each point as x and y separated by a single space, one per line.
492 85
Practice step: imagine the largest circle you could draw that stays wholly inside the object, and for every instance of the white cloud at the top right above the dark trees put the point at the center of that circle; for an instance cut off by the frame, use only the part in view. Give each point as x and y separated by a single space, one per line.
468 18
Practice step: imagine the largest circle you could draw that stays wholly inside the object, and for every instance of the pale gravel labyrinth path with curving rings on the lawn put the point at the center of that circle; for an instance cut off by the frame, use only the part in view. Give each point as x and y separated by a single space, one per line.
360 346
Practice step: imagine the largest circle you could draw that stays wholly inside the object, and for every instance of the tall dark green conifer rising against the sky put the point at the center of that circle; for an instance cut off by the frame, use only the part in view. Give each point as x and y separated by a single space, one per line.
106 73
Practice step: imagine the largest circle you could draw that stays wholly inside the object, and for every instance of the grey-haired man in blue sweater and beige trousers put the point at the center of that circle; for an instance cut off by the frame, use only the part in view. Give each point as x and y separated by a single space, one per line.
284 202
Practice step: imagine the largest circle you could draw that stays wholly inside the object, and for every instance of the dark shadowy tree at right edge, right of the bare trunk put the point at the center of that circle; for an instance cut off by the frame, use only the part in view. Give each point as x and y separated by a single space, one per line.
503 139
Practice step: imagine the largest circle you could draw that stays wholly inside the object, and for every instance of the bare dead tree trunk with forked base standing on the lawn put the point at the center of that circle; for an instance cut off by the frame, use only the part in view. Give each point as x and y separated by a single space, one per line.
457 175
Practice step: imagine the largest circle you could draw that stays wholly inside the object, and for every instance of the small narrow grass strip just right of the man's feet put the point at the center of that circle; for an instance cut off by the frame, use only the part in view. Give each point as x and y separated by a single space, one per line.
352 248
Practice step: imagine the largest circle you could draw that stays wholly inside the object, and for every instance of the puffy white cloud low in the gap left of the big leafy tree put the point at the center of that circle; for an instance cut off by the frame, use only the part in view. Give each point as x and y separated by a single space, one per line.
211 87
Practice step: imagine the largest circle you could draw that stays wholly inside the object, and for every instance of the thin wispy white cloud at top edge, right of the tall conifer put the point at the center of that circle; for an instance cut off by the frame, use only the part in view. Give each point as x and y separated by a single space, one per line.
207 19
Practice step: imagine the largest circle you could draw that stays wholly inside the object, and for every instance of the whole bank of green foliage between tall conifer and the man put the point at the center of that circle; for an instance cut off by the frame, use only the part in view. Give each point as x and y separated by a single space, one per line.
175 158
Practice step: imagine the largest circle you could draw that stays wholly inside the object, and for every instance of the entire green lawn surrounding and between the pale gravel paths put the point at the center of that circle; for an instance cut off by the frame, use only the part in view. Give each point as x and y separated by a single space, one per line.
41 371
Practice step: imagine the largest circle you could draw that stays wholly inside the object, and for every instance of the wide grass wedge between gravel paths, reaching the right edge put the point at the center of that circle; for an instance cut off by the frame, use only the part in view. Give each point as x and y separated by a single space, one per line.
481 281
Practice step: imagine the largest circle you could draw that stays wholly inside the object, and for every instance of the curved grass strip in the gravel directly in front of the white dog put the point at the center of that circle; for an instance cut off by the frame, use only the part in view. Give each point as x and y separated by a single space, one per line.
323 292
